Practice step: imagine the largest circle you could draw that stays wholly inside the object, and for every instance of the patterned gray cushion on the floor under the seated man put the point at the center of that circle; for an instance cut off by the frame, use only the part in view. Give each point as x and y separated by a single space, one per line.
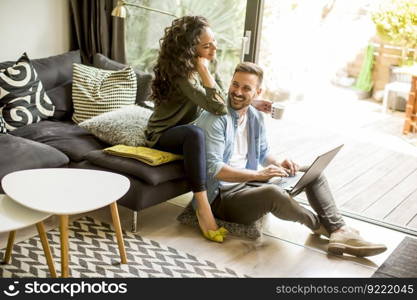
251 231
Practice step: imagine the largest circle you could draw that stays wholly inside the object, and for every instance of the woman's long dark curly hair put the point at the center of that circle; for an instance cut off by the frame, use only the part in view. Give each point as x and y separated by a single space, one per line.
177 54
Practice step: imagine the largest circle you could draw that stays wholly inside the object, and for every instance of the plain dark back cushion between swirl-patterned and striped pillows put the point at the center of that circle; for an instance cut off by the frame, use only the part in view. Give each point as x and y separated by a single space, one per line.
55 73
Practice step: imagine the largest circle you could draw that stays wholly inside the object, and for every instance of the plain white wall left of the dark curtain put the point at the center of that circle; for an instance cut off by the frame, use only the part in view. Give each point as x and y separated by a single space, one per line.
39 27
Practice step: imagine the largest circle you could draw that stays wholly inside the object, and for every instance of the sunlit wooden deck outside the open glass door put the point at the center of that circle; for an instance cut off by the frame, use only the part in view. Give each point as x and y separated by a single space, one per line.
375 173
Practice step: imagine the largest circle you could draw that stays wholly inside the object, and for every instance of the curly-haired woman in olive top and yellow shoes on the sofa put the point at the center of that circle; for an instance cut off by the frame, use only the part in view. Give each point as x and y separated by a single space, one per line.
182 87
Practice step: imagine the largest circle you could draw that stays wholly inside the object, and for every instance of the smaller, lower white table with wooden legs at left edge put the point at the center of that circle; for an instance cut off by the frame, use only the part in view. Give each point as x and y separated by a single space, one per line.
14 216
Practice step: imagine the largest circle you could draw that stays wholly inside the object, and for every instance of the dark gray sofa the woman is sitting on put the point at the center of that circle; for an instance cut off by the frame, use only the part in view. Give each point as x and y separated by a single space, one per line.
58 142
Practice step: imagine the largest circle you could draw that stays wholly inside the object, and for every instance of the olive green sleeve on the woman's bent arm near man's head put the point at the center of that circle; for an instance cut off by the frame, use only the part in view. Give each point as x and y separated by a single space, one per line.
210 99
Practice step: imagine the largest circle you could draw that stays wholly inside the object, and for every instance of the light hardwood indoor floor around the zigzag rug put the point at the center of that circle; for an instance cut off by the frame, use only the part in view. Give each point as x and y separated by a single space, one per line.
286 249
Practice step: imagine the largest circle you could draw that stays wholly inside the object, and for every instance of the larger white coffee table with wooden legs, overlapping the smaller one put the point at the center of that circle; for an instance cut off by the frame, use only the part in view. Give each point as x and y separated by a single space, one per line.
64 192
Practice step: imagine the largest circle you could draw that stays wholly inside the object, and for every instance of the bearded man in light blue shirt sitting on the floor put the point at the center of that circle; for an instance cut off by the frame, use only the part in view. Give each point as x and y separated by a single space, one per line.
236 144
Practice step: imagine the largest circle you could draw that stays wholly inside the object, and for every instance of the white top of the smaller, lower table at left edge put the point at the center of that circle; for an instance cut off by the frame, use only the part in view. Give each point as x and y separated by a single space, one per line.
14 216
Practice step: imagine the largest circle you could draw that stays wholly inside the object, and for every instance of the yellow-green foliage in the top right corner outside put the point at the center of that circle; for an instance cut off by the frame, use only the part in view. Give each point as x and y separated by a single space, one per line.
396 22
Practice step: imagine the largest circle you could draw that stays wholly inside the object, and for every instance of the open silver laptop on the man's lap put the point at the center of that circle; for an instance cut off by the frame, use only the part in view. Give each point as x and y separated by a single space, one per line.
295 184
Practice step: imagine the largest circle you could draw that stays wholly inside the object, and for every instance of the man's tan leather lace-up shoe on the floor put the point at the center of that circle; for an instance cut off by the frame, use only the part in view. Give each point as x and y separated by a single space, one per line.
352 243
